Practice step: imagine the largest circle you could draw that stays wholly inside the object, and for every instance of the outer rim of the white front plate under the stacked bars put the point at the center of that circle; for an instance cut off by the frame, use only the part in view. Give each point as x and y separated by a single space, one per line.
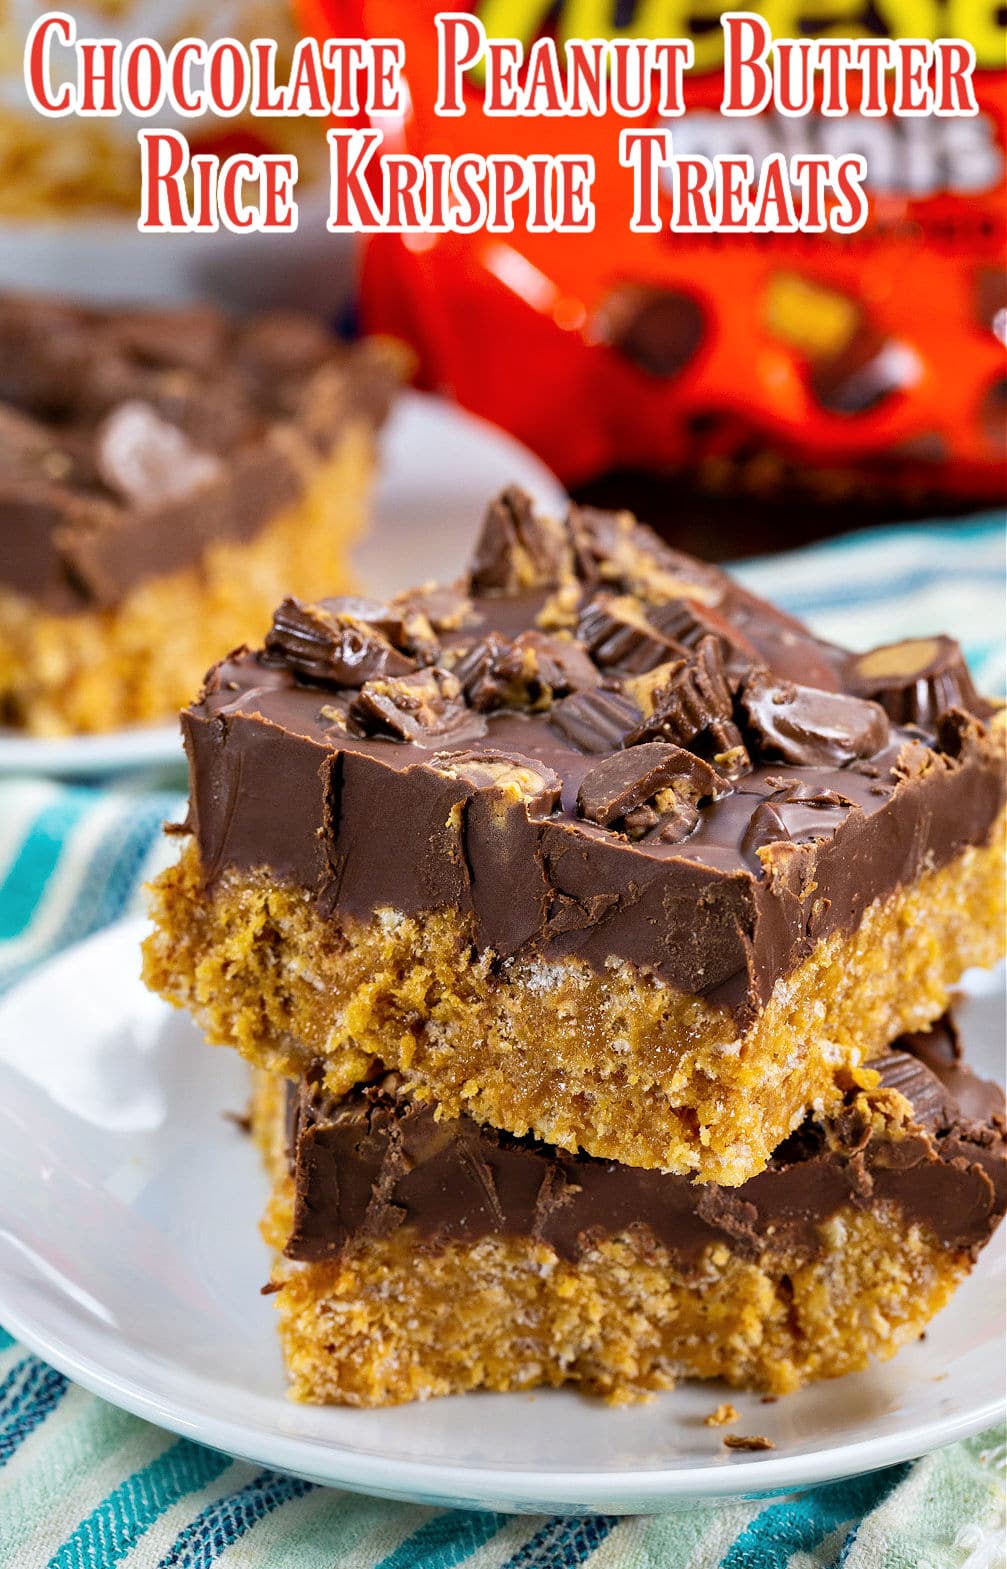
453 1483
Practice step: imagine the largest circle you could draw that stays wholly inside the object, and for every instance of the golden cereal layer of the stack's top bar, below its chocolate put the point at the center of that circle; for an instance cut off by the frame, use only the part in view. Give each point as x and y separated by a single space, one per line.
616 1065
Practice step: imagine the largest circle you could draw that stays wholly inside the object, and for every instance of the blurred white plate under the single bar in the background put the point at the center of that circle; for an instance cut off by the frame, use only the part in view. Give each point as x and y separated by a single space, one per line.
440 467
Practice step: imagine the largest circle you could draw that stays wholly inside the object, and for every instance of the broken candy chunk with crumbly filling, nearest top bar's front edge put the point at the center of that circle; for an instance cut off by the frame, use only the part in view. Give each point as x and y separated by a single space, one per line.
653 788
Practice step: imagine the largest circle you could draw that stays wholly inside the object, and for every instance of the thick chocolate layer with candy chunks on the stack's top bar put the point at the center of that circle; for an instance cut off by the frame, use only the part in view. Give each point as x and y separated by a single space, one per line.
815 804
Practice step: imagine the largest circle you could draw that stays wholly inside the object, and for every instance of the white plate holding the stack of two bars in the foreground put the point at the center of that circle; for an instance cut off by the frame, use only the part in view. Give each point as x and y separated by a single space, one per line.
129 1258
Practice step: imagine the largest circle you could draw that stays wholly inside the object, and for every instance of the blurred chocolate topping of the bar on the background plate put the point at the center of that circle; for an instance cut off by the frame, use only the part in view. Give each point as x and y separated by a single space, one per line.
133 440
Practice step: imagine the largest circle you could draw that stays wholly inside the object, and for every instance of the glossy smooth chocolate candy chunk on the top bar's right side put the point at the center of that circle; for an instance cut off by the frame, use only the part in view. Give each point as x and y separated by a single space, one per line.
805 726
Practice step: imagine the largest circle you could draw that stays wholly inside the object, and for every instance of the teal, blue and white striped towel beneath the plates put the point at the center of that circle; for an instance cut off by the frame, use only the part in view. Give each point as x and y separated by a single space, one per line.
87 1487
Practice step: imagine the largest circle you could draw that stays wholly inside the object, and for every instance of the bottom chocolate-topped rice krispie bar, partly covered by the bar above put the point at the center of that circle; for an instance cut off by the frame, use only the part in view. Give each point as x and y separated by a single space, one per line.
420 1258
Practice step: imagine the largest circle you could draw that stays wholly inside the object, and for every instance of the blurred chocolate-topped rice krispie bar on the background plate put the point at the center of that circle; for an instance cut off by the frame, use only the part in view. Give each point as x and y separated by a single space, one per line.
164 478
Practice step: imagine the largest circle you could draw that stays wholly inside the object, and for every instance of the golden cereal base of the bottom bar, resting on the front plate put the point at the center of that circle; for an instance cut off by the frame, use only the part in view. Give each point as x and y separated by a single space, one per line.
396 1320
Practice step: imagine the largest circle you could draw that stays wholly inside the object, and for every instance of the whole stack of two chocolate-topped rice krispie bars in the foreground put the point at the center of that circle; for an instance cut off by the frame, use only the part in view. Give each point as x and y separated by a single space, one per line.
586 923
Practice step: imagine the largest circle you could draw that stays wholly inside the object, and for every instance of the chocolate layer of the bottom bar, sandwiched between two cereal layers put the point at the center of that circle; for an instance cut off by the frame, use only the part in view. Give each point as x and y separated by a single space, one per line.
379 1160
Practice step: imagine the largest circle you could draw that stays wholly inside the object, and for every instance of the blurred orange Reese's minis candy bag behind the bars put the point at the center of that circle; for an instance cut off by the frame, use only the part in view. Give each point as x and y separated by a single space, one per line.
878 354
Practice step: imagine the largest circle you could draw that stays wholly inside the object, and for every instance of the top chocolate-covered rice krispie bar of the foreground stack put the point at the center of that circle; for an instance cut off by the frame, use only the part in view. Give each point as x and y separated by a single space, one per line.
595 846
